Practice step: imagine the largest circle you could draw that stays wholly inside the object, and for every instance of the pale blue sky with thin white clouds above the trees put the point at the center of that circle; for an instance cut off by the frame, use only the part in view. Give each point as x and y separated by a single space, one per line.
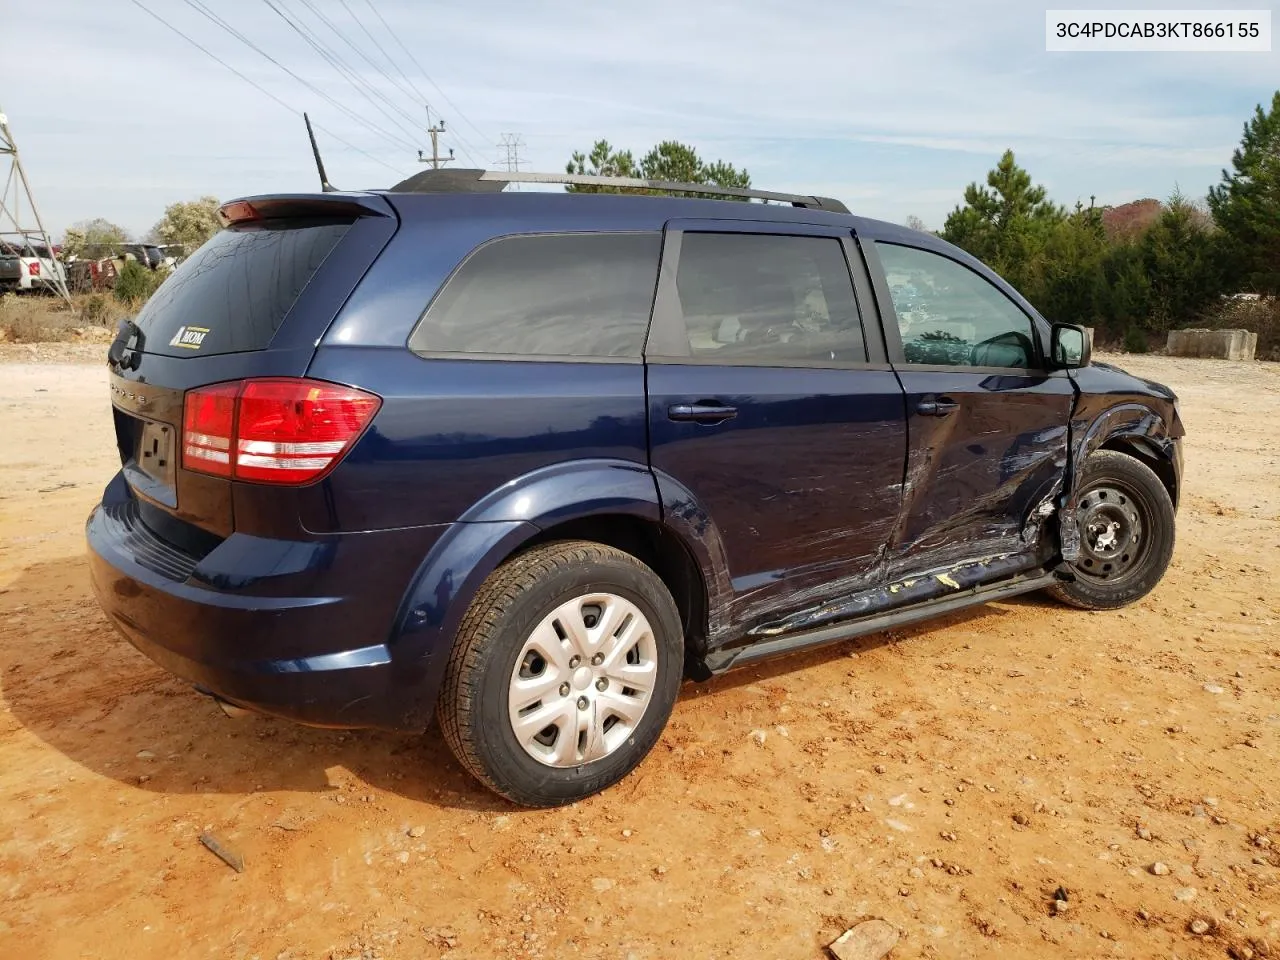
890 107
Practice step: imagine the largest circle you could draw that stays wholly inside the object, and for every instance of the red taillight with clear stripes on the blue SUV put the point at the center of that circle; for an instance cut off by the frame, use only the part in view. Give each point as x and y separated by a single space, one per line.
284 431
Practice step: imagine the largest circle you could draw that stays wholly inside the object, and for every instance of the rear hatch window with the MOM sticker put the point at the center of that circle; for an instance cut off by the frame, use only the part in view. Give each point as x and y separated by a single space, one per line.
232 295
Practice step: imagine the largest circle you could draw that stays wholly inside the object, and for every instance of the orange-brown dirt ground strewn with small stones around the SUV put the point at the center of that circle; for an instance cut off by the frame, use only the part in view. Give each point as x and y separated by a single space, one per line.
948 779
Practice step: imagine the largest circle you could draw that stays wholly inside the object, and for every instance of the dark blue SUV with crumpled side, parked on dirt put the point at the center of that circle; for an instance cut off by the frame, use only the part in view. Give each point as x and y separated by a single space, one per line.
524 461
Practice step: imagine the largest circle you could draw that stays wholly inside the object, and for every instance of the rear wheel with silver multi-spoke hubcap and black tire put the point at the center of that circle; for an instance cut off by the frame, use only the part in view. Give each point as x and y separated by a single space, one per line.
528 651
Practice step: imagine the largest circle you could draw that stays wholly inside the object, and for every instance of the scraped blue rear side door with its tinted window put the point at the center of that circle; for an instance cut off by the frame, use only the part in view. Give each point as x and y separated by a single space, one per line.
774 410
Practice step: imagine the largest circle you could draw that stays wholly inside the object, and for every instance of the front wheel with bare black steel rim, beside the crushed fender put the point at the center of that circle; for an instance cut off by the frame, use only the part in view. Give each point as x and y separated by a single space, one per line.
1127 534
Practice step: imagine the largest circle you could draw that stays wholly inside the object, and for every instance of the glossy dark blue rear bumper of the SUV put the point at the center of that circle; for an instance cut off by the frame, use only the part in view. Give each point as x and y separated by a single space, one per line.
235 625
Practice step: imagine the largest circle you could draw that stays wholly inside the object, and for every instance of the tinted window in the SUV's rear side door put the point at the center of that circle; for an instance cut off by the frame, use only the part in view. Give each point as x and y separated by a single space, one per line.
762 299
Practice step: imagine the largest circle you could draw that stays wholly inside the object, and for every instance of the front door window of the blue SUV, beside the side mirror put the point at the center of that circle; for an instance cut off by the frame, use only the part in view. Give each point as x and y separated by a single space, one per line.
949 316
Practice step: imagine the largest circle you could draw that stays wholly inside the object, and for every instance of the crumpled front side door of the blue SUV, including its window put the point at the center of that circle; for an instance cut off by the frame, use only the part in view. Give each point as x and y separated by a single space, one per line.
988 423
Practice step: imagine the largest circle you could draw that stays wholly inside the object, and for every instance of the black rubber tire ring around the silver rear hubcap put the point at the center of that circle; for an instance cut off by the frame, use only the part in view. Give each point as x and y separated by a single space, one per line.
496 742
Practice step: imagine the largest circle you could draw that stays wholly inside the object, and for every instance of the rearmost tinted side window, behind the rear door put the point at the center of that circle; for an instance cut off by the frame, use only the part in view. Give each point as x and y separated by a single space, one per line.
584 295
